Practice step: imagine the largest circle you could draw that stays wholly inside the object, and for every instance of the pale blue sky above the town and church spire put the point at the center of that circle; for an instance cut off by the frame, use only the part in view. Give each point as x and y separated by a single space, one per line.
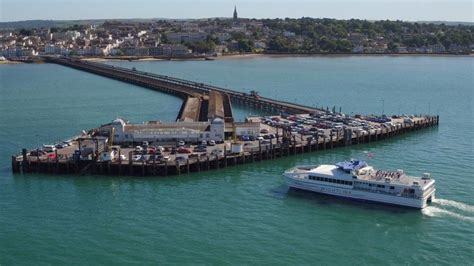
414 10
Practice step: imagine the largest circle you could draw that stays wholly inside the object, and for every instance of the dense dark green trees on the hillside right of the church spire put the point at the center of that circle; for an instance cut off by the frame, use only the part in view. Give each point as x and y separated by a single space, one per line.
331 35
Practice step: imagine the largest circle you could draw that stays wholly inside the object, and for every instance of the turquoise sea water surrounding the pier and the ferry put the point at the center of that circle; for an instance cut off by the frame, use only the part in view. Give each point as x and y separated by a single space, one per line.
243 214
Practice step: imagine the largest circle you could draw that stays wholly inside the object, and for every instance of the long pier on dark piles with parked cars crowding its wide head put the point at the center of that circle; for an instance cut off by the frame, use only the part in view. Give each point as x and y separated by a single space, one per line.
201 103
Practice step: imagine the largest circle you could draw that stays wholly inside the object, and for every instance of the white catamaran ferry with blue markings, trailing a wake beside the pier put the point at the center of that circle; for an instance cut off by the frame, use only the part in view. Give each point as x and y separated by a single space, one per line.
357 180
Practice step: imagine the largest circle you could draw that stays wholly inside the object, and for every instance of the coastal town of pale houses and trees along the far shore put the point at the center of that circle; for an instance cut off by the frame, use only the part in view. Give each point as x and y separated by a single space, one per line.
188 38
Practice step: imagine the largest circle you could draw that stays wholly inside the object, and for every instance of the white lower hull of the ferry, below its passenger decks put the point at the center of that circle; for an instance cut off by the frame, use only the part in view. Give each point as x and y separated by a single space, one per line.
304 184
